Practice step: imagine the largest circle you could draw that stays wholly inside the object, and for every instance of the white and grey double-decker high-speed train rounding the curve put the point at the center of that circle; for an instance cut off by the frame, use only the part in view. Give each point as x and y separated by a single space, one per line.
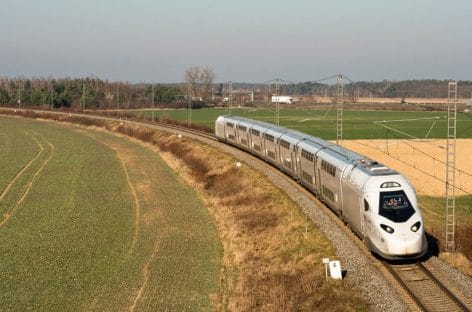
378 203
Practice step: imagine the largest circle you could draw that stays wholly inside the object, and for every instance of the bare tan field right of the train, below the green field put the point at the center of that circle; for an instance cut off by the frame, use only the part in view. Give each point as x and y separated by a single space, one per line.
422 162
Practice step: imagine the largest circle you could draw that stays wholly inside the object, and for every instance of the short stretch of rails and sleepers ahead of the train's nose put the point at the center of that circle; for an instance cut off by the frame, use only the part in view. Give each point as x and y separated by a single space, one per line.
427 292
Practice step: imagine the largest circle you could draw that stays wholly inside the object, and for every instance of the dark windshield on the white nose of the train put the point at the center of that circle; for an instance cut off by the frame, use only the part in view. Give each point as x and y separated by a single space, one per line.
395 206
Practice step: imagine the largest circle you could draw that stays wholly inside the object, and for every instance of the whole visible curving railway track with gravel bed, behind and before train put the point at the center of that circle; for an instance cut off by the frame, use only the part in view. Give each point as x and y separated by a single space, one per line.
421 288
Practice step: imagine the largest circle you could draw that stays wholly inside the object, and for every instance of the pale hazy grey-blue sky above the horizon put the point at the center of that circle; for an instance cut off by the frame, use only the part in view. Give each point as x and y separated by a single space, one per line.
241 40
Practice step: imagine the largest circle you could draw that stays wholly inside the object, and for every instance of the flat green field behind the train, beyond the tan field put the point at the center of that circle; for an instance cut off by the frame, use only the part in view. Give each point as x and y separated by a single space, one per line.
322 123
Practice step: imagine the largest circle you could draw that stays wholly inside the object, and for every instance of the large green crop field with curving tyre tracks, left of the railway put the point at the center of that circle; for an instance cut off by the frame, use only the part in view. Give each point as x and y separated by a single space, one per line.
90 221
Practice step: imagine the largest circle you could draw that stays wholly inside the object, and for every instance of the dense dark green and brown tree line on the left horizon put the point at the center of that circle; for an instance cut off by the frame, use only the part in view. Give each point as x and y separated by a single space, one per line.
85 93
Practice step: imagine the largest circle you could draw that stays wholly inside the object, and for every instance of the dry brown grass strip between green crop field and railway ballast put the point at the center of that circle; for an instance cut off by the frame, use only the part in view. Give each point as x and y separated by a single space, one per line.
272 259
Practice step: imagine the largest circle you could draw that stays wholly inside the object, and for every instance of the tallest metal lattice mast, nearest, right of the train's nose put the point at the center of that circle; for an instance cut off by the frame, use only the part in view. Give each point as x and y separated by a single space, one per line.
451 166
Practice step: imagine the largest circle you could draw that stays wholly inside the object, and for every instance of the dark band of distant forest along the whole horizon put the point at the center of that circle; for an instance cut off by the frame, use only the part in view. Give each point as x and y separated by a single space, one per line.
92 92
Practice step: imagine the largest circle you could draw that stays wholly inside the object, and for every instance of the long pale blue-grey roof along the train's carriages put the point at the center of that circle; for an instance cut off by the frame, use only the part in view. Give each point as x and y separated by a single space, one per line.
344 155
